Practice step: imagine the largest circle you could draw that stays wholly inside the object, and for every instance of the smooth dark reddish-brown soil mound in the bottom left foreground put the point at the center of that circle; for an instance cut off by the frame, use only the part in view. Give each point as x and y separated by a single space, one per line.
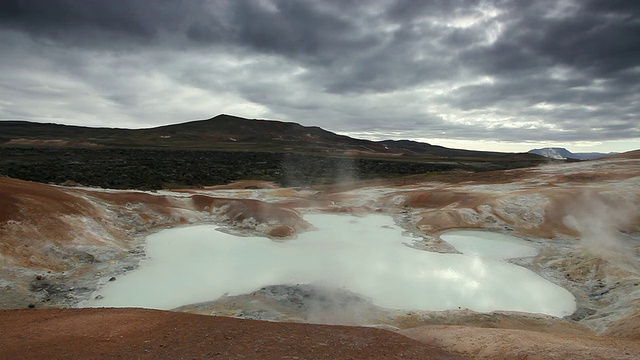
153 334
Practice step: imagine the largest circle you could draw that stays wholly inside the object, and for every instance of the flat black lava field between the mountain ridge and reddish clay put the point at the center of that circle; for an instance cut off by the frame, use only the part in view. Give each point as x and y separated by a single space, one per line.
154 169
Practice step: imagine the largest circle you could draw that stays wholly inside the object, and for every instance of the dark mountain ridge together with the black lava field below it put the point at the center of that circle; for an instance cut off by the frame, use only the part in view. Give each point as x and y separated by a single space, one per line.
222 150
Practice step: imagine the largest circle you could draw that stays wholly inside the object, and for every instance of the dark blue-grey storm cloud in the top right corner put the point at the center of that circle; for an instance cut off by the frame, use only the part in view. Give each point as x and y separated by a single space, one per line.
600 39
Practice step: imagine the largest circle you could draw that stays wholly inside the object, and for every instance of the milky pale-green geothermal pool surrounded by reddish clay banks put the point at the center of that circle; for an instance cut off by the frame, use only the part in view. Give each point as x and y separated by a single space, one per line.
366 255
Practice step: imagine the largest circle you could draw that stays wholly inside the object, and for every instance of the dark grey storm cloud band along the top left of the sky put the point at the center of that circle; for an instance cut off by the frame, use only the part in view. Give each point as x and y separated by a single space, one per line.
289 28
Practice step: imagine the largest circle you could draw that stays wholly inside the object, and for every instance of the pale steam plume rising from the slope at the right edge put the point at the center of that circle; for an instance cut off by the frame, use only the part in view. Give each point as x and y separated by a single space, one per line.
599 217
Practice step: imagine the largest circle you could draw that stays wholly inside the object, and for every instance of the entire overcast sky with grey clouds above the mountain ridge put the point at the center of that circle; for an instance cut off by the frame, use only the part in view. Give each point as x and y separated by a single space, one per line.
505 75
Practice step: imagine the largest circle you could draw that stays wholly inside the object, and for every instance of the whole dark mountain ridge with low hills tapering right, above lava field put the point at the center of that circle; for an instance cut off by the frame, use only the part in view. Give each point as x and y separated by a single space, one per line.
232 133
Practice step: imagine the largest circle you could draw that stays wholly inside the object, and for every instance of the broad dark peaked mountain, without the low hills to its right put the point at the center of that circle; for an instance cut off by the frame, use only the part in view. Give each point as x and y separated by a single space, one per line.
221 132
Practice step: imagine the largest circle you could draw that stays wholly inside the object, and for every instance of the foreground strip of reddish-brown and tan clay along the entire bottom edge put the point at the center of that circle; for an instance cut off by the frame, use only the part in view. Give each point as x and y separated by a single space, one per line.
154 334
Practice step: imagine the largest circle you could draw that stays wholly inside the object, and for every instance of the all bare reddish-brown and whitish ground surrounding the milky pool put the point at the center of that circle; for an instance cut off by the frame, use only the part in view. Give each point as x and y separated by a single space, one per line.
59 244
